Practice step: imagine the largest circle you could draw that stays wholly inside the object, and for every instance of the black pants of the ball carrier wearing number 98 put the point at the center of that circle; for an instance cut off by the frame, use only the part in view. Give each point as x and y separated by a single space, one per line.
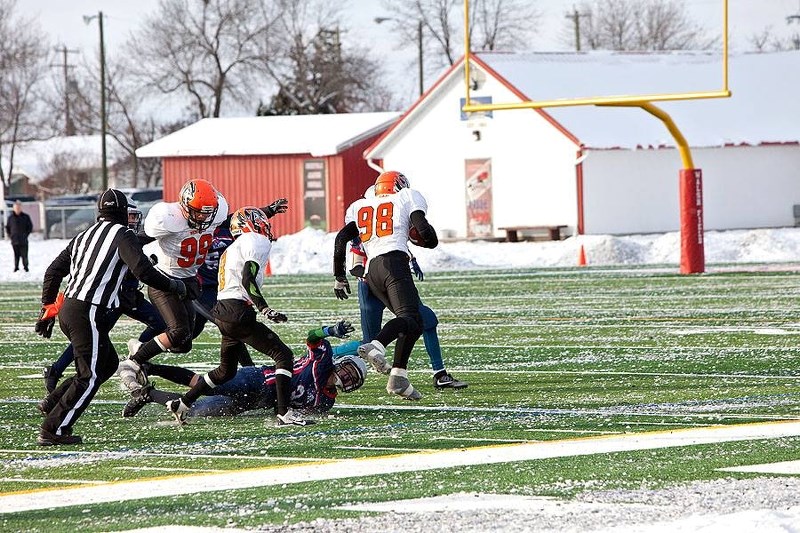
390 280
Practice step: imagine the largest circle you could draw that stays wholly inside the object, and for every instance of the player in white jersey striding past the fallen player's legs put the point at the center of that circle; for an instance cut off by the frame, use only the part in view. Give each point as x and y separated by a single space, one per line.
241 274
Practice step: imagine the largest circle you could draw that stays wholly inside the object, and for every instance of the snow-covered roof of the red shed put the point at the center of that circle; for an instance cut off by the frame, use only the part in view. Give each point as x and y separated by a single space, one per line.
318 135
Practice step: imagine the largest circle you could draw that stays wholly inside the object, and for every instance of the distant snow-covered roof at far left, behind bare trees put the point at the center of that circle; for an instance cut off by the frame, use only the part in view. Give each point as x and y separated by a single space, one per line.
36 159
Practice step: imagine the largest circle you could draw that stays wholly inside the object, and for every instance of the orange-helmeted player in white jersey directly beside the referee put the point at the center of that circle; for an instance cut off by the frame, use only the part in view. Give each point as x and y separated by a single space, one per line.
183 232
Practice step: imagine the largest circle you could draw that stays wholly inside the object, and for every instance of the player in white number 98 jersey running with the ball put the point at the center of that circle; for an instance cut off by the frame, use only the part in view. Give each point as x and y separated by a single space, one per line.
383 224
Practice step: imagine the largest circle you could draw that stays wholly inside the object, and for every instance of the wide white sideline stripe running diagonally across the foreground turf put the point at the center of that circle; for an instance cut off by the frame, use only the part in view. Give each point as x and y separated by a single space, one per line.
392 464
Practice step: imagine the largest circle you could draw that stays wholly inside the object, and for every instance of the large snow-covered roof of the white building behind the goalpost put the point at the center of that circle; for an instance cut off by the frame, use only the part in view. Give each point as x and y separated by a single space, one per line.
763 108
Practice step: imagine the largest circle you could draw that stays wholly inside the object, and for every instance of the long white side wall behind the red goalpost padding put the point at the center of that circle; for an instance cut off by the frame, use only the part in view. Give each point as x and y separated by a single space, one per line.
636 191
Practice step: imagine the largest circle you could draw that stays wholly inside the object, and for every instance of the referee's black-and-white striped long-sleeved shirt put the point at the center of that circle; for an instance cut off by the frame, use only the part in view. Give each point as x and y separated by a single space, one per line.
96 261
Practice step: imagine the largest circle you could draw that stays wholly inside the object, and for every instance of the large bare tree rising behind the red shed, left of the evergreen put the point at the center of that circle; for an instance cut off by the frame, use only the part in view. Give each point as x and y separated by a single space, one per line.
203 50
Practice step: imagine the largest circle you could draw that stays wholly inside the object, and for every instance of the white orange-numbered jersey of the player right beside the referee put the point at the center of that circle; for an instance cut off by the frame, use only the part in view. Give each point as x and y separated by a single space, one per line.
180 249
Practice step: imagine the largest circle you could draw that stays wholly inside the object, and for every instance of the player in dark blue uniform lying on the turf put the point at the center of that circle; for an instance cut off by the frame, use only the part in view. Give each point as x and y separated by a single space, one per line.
315 381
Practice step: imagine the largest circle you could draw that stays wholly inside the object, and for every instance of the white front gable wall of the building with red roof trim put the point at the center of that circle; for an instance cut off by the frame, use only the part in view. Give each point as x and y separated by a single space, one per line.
533 170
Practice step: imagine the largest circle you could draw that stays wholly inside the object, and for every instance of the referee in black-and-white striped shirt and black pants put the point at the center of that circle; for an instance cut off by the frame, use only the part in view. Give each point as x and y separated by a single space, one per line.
96 261
